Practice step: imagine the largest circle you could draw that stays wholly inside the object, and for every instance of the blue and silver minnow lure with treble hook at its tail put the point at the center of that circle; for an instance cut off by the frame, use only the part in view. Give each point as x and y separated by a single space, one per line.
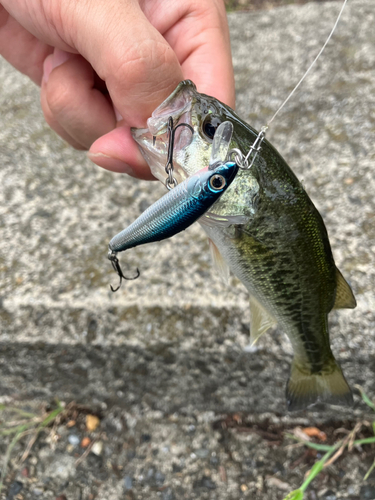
174 212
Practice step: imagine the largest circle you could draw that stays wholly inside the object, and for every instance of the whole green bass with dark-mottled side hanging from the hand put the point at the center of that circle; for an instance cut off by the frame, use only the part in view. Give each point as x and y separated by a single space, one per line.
267 231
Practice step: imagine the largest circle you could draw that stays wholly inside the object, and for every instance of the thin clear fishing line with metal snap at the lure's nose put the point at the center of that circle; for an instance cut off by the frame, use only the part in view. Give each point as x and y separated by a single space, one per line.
255 148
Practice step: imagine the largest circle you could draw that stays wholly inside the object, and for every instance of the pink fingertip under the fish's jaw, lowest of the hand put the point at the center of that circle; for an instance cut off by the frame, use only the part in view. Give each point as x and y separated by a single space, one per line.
118 152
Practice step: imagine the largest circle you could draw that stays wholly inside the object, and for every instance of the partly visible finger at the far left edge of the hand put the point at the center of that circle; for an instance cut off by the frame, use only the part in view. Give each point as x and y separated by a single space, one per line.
21 49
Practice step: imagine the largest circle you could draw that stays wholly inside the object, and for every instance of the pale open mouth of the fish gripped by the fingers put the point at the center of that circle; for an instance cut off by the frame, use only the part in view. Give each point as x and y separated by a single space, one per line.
153 141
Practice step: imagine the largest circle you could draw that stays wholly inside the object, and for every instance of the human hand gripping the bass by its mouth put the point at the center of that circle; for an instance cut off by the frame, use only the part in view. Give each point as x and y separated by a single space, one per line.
105 66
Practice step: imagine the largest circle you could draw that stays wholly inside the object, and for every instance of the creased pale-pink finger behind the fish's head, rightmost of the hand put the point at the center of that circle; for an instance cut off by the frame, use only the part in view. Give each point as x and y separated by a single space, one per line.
198 33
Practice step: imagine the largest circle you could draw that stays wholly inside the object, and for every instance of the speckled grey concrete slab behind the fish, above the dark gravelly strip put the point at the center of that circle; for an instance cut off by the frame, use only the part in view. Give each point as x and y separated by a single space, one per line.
173 340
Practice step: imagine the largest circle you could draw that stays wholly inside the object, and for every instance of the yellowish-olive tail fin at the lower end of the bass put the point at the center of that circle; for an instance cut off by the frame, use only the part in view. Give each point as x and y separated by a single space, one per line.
327 386
